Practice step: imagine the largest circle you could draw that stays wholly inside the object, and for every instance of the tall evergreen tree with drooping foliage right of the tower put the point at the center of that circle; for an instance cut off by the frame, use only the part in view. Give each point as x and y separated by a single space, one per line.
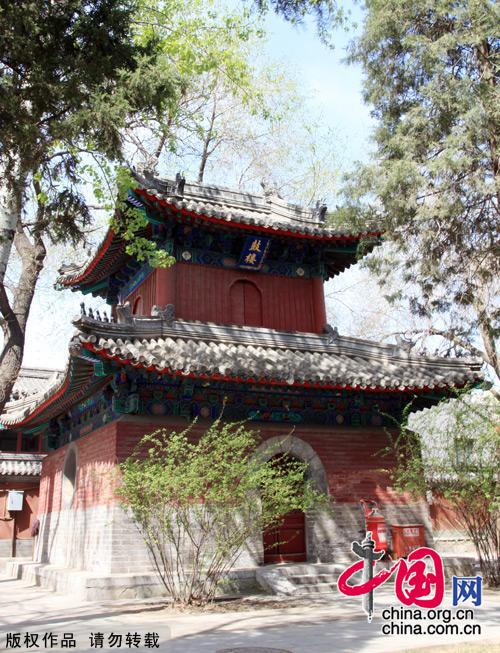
431 76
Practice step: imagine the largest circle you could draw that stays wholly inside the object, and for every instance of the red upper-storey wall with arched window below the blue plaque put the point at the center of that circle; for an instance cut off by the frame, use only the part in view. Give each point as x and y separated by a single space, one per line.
226 296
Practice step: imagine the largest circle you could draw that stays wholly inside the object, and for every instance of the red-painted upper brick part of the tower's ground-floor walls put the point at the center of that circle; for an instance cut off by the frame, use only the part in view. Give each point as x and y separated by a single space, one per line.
351 458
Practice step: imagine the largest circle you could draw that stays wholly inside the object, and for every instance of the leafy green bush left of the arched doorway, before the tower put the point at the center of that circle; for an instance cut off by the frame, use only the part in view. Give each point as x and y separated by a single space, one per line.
200 501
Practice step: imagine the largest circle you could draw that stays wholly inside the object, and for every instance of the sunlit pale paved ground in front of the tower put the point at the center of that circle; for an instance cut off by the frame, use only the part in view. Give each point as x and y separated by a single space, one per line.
333 625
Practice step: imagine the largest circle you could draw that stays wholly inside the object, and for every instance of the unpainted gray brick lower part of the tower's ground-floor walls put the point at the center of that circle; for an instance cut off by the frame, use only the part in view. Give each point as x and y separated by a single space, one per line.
105 539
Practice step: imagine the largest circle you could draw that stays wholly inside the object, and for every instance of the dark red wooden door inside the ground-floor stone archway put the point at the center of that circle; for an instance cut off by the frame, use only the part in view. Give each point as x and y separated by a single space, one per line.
286 543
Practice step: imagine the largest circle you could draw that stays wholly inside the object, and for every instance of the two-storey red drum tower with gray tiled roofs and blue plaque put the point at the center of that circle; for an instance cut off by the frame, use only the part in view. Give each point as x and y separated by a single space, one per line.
239 318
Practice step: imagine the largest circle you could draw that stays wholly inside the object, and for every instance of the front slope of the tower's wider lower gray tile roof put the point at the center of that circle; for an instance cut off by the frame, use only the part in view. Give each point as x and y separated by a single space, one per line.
263 355
